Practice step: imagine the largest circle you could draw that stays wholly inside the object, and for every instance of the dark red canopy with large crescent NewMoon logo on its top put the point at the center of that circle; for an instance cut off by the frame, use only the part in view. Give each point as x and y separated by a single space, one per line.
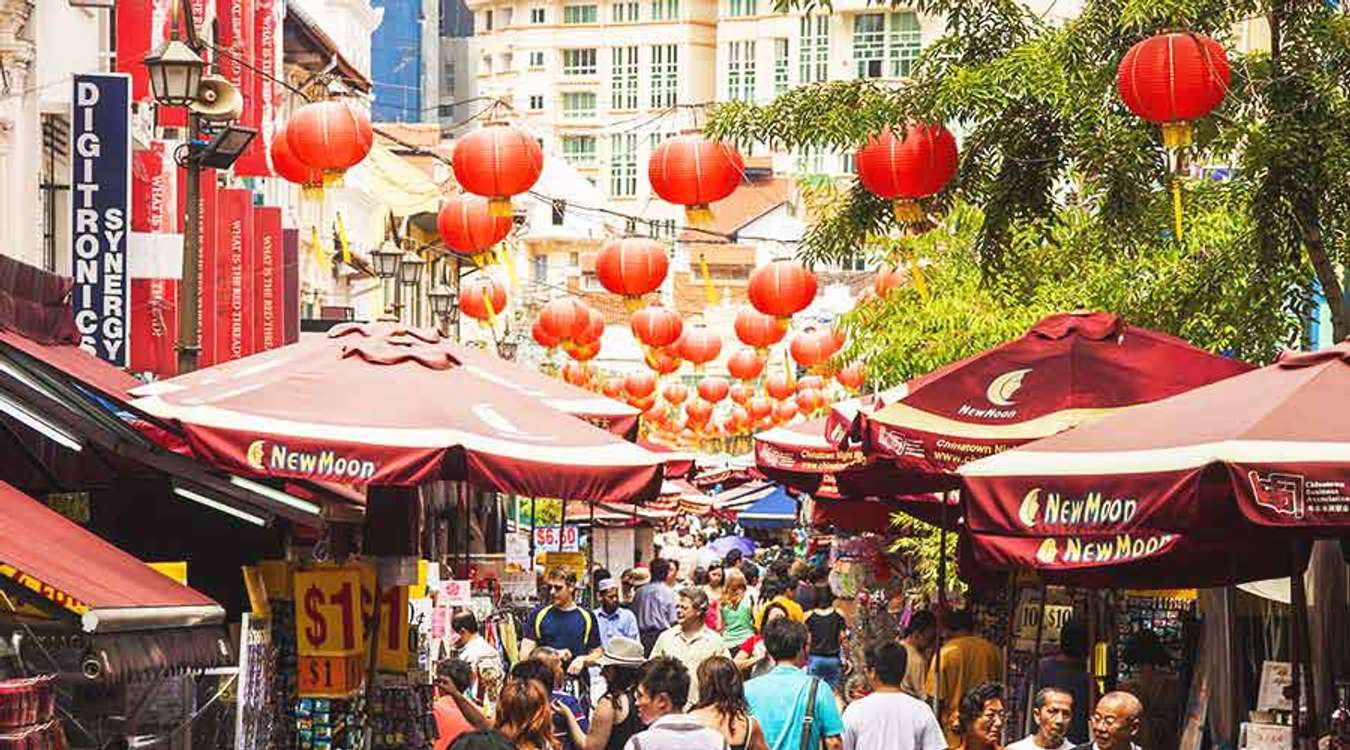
1067 370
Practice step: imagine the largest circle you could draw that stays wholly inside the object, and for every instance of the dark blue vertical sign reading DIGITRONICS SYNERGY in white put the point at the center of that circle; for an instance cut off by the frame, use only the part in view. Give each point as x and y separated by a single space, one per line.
101 196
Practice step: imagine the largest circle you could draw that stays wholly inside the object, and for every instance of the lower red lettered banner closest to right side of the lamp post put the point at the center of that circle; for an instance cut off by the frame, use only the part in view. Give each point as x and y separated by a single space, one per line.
234 277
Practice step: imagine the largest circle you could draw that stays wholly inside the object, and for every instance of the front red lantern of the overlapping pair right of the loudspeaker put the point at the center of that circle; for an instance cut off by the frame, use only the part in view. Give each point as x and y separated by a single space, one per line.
331 136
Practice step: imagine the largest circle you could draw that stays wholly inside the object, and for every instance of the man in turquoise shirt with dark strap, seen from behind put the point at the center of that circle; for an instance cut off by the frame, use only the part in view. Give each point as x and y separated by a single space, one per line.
796 712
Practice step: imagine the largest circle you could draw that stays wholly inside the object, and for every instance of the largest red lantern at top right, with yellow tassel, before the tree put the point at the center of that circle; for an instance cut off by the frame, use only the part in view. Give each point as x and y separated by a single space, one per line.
1174 80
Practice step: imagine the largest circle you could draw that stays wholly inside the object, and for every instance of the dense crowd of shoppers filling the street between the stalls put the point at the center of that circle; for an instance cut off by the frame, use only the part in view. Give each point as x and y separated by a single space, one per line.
730 663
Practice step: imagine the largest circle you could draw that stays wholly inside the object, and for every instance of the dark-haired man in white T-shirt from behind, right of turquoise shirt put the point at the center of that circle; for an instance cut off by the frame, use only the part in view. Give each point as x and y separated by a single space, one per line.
890 720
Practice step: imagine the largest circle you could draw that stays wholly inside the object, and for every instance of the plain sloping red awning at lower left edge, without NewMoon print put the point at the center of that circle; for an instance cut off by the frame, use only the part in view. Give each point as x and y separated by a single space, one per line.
49 558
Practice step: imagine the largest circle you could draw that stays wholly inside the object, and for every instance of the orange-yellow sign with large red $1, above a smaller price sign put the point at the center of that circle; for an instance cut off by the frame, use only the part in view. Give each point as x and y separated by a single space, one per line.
329 617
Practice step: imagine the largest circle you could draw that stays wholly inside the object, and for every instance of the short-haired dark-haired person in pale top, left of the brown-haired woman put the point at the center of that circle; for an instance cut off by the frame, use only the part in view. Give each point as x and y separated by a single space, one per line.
661 699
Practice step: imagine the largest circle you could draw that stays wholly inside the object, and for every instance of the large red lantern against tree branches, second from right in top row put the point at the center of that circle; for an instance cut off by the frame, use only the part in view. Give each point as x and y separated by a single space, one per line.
905 171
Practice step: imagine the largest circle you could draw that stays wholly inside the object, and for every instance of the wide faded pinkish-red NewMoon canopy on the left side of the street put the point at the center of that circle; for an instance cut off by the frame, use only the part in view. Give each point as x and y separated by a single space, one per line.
380 404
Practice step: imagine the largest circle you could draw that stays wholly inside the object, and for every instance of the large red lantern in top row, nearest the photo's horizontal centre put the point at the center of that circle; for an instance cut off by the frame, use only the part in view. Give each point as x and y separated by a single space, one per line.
695 172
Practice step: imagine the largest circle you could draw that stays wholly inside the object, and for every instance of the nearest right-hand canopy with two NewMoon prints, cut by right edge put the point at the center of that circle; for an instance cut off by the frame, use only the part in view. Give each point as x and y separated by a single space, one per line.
1243 467
